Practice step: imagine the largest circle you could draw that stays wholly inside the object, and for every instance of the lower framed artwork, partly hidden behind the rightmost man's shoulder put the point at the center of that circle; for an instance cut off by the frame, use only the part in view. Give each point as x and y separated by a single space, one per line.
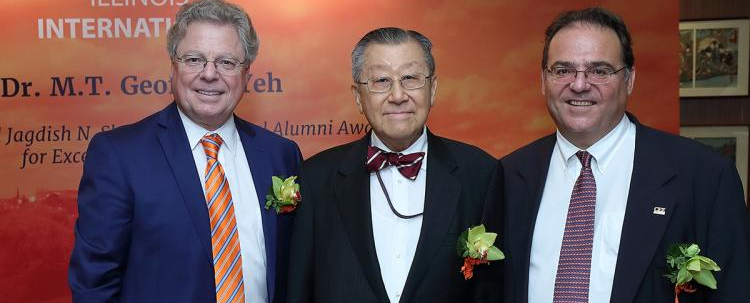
730 141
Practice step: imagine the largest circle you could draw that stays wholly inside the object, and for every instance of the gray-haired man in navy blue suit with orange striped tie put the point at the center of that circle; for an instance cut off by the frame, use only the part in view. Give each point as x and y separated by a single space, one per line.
148 229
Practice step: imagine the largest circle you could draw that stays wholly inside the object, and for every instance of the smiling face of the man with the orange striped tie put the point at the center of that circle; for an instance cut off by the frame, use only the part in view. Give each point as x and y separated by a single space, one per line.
207 97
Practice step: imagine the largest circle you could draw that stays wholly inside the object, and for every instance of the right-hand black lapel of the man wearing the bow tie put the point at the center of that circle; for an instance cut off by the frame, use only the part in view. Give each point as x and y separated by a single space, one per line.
441 199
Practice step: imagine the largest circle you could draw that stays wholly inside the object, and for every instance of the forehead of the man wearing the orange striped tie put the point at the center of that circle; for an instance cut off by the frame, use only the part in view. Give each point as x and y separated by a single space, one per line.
210 38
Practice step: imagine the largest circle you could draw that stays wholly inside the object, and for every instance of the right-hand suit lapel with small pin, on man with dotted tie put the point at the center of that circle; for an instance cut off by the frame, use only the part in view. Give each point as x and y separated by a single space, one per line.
642 229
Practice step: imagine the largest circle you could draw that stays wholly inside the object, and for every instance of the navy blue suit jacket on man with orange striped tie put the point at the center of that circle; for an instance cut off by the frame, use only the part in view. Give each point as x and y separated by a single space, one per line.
143 232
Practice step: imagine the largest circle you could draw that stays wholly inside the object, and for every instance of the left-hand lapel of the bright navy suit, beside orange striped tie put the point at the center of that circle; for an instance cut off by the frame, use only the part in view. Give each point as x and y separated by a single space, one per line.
174 143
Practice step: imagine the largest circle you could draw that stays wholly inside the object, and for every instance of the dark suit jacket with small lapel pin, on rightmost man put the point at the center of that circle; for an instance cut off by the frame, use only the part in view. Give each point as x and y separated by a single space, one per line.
700 190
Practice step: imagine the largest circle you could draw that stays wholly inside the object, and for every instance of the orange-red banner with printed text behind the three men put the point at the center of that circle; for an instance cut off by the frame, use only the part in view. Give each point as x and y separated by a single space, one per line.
71 69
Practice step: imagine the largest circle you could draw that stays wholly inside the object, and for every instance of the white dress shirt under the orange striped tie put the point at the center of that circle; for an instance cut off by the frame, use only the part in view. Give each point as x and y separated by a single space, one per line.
244 197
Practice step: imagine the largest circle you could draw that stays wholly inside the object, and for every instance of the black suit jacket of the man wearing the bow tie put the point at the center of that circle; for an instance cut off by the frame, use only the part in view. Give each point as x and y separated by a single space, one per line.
334 251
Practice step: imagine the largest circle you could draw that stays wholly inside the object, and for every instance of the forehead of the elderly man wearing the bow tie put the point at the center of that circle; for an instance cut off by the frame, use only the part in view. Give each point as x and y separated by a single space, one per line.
394 57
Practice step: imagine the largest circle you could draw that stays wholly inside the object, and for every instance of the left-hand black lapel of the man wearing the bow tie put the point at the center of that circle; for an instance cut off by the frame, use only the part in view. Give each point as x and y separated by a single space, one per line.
353 200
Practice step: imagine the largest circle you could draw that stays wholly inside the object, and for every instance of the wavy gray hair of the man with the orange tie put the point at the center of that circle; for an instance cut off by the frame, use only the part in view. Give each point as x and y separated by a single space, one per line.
218 12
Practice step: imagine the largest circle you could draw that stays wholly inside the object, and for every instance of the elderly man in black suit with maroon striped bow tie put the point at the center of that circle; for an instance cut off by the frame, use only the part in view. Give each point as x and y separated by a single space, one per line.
381 216
